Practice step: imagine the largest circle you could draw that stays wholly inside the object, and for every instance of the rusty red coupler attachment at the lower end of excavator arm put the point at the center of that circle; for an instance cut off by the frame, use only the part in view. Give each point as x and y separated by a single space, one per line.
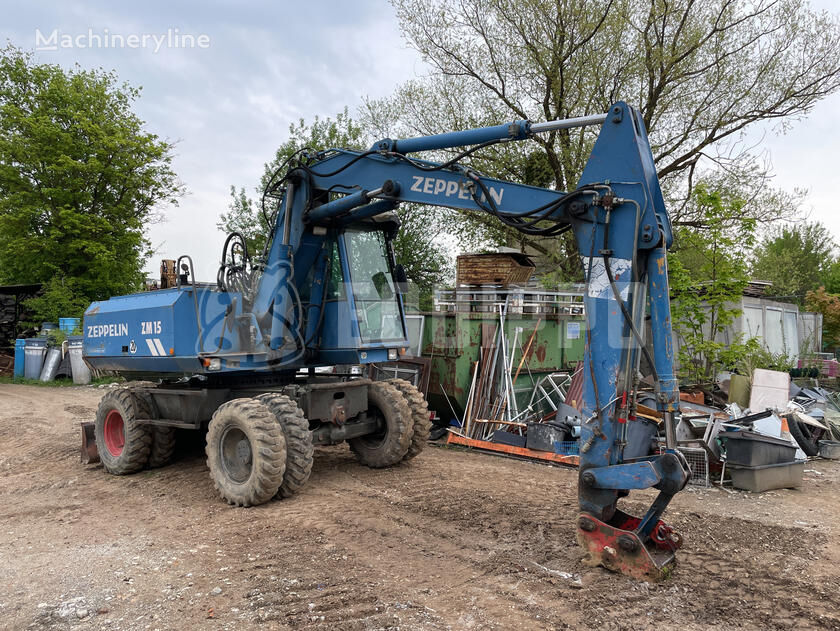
623 551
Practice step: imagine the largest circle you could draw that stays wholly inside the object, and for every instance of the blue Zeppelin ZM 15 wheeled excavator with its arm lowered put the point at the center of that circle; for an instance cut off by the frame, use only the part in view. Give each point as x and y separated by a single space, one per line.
240 357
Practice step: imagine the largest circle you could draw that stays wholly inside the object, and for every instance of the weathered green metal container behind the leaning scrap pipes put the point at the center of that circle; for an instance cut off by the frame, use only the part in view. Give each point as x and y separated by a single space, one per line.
452 342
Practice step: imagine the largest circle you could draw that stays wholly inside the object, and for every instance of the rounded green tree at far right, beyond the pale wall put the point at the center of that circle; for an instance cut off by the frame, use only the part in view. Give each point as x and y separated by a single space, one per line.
796 258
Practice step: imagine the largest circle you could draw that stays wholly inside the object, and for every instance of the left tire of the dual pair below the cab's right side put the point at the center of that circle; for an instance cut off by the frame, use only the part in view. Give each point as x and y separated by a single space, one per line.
388 446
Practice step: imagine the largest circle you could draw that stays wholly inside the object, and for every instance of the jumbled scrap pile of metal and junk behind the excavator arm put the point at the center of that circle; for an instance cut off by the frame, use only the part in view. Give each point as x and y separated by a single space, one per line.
757 437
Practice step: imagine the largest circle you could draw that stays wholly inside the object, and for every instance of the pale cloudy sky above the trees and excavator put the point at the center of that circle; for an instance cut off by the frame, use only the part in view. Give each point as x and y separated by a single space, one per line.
267 64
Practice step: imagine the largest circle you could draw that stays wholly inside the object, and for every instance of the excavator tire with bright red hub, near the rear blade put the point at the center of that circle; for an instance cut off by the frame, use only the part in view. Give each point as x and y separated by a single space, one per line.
122 443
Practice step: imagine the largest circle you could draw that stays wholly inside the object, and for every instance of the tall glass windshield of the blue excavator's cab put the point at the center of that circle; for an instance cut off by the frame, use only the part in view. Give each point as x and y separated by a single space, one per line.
377 306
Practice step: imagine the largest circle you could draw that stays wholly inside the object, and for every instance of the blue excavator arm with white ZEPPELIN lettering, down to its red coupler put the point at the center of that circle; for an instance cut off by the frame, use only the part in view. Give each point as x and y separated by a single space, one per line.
619 220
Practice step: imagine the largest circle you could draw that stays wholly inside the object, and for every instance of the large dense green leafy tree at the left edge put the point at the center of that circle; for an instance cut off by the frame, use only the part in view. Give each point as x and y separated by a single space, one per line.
80 178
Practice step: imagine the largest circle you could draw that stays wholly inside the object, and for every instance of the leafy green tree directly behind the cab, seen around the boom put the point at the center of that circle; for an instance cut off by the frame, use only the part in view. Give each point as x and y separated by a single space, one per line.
416 246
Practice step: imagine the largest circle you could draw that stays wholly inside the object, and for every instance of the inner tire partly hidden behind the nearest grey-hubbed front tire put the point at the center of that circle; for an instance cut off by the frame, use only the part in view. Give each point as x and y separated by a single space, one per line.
299 448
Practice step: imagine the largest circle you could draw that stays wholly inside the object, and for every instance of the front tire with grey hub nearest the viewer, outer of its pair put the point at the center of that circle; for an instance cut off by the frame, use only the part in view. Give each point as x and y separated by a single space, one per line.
246 452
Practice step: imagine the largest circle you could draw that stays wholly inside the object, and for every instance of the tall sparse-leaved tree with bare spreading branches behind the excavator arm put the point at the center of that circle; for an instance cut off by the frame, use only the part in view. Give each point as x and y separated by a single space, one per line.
700 72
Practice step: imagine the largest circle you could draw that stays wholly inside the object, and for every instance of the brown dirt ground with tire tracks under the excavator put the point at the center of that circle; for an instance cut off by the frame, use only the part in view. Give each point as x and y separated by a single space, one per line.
452 540
